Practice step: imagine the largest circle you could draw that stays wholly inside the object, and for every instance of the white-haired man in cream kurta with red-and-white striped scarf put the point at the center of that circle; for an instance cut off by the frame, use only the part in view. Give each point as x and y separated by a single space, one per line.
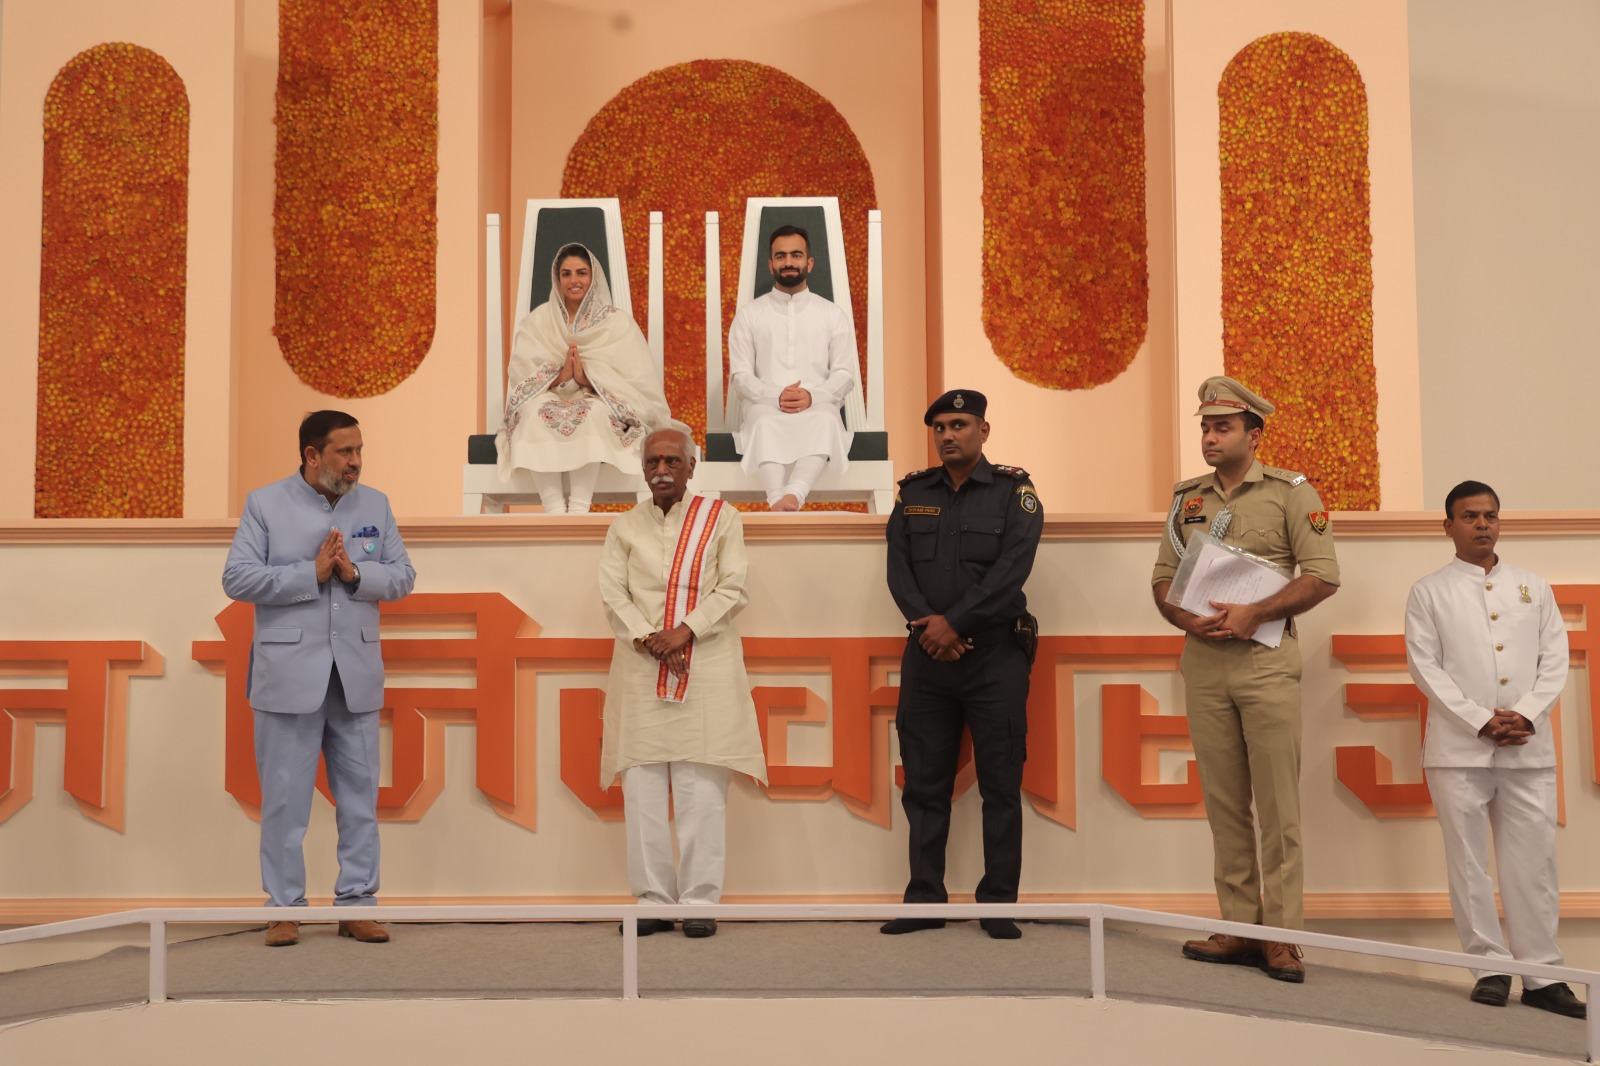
679 708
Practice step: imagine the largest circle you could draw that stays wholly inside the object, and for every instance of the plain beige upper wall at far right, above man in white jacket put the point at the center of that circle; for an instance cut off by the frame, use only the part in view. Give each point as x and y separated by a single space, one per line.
1506 103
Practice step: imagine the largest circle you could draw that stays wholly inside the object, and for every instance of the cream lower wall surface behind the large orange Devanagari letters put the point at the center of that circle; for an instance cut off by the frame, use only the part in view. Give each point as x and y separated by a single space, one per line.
180 812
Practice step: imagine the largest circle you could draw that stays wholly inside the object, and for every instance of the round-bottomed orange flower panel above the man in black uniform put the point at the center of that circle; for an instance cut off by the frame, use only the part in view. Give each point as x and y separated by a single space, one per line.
1066 289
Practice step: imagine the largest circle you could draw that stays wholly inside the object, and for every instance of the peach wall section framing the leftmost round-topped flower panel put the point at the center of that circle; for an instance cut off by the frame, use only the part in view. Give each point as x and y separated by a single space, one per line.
201 41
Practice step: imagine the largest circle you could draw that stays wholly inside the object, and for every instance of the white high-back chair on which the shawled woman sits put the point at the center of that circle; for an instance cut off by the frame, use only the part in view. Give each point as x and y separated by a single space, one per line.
550 225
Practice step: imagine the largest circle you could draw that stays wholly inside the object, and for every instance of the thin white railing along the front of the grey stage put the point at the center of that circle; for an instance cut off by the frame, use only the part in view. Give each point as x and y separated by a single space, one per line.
630 915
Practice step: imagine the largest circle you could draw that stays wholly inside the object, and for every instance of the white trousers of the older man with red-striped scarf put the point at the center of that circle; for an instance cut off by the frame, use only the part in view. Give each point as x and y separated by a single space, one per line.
700 806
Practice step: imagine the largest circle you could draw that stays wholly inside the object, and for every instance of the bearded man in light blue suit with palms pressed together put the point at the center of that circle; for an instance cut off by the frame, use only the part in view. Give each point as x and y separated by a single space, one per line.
316 555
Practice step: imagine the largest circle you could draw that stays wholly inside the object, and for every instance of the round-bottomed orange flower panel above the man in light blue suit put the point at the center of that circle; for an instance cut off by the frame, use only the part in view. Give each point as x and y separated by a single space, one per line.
358 177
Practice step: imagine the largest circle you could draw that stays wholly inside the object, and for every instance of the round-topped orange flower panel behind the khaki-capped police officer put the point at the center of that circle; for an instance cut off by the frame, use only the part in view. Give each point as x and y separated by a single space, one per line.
1298 258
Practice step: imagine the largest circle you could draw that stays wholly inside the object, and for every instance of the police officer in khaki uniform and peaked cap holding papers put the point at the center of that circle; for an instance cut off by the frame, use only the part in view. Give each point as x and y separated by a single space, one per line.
1244 699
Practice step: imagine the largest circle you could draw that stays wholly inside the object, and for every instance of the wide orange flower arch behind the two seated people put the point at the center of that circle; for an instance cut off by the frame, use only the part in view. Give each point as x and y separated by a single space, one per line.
705 137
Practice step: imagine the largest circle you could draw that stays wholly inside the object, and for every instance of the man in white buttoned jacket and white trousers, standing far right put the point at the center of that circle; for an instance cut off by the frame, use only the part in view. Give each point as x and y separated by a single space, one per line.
1486 641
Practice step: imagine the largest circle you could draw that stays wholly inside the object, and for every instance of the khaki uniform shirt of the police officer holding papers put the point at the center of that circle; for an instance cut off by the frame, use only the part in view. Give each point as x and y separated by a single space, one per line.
1278 515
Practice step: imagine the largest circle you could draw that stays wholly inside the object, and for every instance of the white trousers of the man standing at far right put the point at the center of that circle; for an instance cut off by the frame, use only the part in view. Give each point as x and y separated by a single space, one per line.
1519 809
